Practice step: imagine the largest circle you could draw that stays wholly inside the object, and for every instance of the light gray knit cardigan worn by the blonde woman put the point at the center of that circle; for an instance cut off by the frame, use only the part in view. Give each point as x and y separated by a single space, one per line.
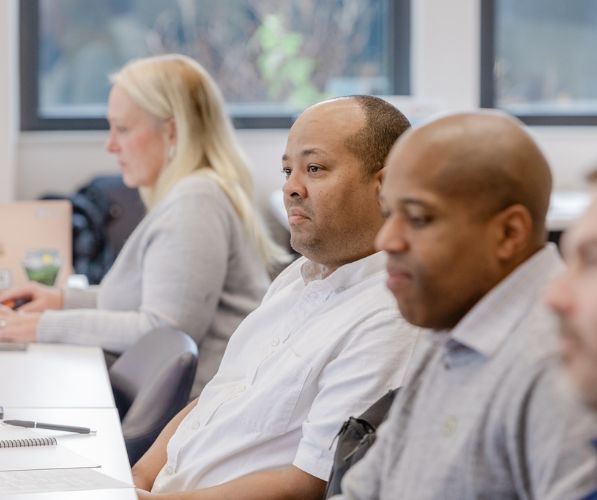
189 264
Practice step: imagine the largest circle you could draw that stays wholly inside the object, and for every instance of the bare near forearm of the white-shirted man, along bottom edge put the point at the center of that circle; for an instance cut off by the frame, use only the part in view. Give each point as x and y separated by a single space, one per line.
283 484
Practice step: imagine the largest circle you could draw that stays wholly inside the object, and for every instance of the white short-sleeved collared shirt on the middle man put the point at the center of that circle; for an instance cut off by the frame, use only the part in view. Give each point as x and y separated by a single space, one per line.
311 355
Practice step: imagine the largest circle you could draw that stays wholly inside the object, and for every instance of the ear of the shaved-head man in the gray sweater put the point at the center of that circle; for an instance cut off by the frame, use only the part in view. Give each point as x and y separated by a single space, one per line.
514 226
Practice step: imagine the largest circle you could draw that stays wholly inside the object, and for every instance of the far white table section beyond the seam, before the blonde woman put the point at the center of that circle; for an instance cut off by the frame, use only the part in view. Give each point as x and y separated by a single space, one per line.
54 376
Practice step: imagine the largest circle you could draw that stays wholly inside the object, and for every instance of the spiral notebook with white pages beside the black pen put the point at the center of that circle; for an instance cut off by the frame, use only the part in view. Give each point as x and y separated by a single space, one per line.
28 449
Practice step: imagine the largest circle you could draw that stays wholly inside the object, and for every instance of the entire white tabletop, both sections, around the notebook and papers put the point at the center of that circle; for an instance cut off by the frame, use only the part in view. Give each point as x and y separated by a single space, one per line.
68 385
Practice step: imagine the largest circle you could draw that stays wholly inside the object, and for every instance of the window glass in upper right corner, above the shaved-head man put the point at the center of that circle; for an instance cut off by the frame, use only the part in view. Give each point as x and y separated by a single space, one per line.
545 62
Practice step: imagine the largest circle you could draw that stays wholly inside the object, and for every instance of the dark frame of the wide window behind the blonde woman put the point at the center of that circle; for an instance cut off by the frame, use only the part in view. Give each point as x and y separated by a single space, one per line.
398 61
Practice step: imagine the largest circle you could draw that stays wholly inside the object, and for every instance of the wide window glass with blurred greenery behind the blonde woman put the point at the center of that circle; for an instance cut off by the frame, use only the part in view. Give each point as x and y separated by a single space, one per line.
269 57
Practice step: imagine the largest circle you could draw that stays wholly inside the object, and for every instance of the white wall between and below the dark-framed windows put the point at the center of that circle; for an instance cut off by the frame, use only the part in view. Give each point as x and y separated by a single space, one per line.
445 72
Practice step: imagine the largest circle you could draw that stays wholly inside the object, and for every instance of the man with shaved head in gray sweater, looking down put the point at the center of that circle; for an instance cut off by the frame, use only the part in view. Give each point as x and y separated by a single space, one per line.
482 413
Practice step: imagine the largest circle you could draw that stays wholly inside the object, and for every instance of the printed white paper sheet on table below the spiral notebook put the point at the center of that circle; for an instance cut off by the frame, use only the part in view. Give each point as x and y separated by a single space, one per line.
37 481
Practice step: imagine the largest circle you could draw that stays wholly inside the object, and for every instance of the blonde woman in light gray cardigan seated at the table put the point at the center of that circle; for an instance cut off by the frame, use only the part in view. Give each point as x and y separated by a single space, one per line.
198 260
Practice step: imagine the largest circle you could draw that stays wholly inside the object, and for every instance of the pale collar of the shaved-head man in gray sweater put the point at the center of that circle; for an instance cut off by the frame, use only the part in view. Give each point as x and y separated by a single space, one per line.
487 325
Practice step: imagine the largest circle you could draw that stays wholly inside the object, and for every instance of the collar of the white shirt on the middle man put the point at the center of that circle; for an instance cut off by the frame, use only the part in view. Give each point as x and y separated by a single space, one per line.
347 275
